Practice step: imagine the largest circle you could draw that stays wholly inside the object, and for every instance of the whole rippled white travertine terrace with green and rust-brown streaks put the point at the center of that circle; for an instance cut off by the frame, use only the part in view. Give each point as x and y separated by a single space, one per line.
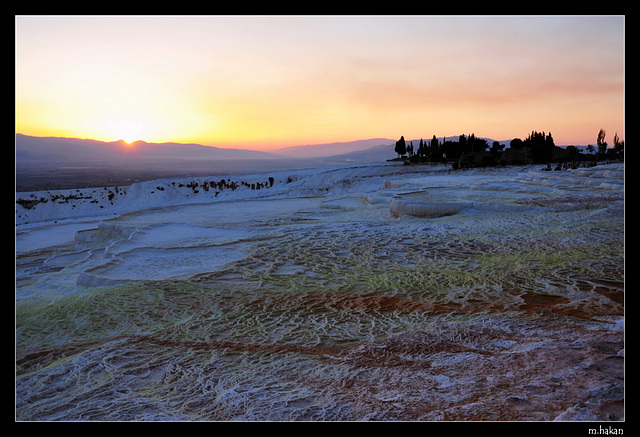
333 307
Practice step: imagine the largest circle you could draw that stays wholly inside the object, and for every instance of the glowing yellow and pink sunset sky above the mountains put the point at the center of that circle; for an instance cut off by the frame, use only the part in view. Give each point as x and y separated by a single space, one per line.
264 82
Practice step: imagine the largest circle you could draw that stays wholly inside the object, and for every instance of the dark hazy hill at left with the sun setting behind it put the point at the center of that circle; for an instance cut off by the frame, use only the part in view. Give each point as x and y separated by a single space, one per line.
59 163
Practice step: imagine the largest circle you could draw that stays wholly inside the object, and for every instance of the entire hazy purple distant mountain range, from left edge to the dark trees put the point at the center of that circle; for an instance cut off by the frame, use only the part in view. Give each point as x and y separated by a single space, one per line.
57 163
